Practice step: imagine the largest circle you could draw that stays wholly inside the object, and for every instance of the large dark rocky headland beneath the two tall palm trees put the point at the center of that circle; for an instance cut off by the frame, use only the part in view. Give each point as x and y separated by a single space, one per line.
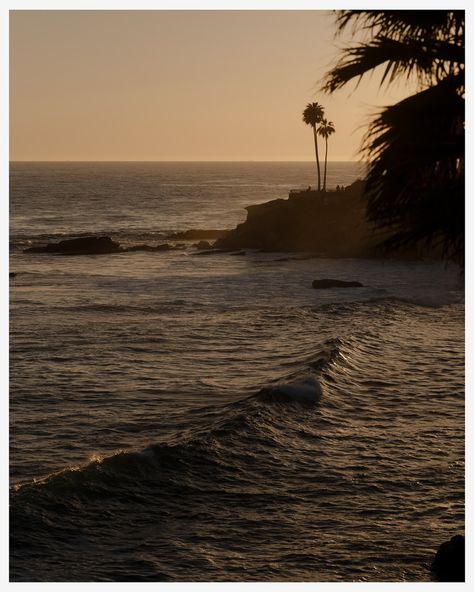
326 224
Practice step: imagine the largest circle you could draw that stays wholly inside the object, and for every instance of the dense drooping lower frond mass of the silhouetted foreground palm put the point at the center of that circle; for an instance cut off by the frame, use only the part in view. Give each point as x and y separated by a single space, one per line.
415 182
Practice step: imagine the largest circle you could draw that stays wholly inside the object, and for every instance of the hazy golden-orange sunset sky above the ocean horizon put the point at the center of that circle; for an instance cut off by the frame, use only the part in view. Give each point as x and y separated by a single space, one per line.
178 85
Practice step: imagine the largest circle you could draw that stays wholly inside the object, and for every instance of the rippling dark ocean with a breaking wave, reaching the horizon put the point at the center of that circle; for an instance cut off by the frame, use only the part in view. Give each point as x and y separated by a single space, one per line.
176 417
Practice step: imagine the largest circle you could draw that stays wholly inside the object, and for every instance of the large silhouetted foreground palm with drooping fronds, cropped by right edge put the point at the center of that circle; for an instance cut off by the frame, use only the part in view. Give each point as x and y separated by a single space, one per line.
415 148
